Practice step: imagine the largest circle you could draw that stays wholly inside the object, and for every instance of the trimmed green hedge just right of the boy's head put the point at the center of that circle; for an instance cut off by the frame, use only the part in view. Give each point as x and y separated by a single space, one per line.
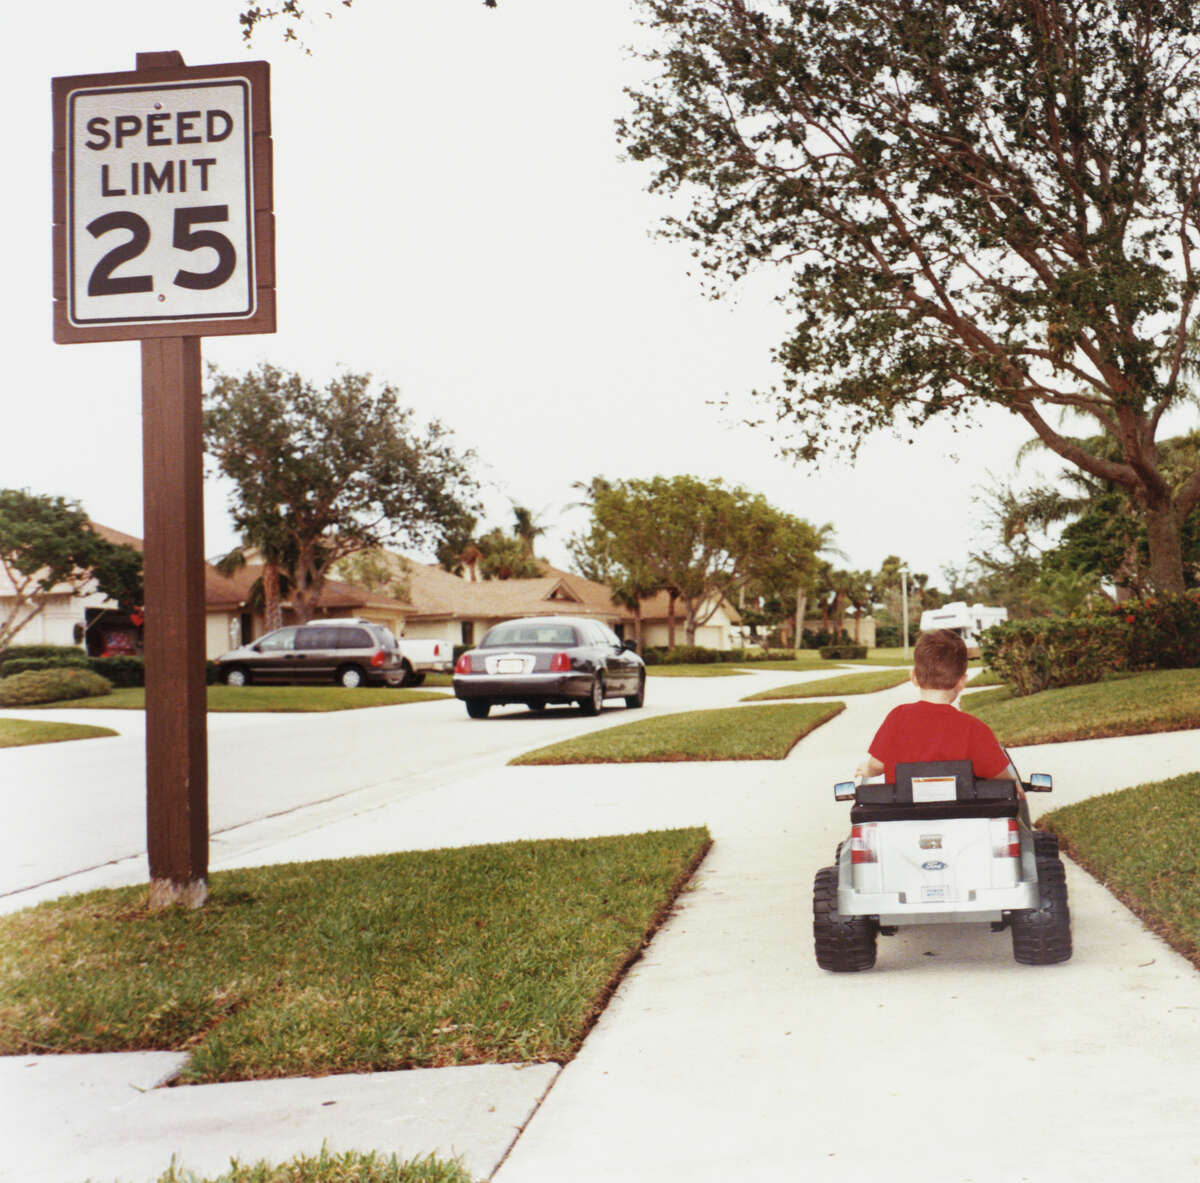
1033 656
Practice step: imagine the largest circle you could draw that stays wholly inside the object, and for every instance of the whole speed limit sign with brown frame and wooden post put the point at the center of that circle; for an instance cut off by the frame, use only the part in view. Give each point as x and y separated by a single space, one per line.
164 233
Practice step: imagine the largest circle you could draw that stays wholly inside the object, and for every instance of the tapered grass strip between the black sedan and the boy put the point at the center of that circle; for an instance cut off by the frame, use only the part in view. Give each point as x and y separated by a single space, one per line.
733 734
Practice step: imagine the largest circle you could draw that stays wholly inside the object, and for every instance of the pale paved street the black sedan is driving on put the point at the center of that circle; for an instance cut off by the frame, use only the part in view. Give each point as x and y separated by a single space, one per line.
76 813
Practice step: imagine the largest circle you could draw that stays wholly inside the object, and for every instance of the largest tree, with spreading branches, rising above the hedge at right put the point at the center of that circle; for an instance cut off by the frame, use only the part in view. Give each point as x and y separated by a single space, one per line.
975 205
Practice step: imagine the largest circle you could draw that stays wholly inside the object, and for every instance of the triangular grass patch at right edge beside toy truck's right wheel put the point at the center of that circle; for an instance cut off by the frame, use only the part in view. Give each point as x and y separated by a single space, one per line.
1142 845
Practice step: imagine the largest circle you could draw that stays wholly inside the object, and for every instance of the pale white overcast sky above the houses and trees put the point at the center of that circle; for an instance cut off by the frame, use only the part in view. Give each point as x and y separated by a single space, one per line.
454 218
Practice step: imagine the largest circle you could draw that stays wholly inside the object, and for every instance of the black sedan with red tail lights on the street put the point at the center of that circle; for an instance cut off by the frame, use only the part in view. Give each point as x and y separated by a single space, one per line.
543 660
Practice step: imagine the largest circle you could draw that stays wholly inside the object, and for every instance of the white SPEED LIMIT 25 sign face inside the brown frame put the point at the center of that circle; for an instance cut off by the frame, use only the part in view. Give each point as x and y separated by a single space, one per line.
161 203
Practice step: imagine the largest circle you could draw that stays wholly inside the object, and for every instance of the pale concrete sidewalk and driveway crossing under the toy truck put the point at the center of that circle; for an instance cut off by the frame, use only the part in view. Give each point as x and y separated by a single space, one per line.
727 1054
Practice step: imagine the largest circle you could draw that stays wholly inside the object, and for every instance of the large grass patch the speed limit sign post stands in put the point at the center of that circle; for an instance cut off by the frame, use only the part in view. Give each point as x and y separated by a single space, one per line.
484 954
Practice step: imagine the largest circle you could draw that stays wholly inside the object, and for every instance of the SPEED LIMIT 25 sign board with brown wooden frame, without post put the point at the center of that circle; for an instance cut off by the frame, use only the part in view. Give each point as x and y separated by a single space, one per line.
163 183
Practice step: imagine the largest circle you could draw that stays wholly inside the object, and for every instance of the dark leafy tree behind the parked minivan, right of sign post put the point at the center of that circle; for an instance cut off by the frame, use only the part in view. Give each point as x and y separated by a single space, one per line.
326 475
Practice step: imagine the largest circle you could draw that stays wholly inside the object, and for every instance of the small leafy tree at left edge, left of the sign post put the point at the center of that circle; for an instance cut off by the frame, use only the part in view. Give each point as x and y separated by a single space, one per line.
47 543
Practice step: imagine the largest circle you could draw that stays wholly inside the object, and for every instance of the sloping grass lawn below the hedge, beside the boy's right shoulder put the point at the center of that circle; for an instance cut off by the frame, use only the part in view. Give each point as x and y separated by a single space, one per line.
1162 700
